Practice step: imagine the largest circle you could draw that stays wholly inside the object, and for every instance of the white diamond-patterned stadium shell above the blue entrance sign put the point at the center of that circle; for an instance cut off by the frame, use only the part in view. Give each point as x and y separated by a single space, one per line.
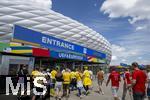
44 20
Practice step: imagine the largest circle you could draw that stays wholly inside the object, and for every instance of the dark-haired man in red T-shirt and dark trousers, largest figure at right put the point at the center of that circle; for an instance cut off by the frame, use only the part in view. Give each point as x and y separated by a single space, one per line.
139 81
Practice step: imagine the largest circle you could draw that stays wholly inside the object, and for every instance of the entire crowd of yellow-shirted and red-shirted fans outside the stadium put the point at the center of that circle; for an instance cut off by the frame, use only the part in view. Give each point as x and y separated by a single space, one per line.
60 83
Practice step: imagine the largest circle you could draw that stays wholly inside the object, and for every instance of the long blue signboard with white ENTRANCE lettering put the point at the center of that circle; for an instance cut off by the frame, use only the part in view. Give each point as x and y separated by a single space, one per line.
30 36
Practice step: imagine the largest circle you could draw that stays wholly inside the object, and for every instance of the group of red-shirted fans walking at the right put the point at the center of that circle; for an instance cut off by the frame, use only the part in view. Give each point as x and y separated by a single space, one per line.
136 82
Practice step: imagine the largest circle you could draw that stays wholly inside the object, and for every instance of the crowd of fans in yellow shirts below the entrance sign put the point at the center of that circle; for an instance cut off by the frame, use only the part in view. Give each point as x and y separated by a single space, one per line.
61 82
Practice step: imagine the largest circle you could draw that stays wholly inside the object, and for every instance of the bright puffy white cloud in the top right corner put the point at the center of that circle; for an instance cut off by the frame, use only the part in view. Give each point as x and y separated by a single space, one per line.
135 10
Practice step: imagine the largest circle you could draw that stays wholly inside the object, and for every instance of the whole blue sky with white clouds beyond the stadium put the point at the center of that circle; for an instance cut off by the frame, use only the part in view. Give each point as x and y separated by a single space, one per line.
124 23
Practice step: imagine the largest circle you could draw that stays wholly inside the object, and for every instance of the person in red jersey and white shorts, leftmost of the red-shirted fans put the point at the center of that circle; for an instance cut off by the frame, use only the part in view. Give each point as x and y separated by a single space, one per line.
115 79
